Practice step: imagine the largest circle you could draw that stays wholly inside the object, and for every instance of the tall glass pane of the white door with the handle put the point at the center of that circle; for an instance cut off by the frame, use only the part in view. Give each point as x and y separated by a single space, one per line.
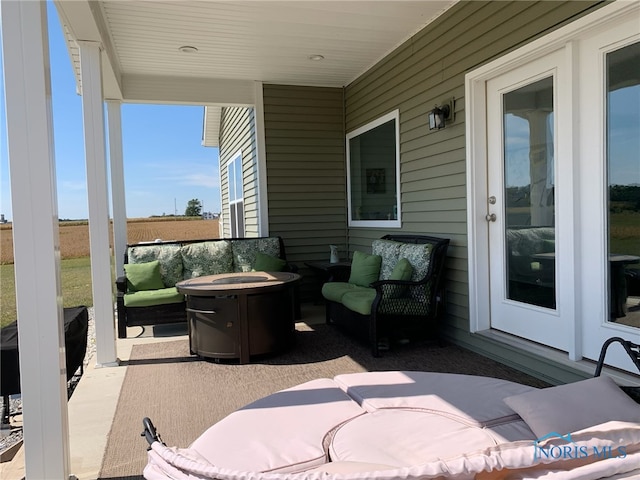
529 194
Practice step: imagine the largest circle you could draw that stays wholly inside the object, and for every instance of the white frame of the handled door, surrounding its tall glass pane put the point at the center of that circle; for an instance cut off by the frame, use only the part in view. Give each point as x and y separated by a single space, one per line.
551 327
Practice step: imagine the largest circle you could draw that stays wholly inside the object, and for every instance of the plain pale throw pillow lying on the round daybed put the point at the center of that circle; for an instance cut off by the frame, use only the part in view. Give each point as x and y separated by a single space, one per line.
574 406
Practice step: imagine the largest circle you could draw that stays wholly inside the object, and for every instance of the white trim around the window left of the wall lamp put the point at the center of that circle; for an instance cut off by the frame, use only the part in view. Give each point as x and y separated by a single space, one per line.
394 115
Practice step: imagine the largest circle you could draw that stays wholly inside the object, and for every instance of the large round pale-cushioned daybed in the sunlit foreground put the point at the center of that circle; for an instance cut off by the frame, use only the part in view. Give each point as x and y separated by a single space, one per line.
411 425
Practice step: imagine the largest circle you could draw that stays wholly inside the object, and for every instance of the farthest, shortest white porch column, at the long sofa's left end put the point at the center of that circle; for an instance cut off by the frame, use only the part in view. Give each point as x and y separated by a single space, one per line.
118 200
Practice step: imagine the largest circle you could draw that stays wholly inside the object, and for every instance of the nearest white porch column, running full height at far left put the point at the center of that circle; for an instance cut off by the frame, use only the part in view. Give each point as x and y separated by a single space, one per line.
35 238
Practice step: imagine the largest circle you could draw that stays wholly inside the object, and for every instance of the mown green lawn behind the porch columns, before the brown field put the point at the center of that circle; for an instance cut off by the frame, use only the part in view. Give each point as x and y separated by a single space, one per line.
76 287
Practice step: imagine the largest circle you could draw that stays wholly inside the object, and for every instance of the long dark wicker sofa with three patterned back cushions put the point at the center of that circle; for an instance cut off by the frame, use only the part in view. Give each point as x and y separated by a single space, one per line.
146 294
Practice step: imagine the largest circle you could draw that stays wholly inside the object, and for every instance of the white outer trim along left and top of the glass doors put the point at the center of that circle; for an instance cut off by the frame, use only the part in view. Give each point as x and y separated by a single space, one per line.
476 148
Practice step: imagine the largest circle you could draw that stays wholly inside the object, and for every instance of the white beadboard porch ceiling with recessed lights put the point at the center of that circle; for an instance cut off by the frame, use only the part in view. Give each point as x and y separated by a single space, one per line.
238 42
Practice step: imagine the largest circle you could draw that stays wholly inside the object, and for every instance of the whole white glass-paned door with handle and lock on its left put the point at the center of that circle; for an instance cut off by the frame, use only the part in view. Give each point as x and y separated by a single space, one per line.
522 206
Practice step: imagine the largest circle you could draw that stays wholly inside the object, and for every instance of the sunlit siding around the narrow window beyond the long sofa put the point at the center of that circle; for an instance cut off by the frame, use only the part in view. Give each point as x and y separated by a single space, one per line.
237 132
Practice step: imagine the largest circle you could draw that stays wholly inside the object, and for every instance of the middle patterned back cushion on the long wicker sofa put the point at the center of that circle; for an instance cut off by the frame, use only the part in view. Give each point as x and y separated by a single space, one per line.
207 258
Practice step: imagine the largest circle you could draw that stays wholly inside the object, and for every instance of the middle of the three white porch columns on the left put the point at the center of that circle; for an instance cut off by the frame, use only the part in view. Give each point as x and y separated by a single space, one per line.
96 159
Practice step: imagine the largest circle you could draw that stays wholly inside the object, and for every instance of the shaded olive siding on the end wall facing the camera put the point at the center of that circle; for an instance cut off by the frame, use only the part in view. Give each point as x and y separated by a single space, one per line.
304 140
